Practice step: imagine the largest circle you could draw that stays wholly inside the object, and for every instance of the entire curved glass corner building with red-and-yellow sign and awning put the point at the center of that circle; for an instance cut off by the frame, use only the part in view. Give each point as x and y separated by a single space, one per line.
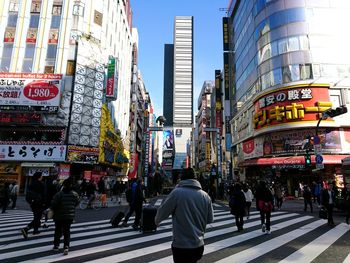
289 61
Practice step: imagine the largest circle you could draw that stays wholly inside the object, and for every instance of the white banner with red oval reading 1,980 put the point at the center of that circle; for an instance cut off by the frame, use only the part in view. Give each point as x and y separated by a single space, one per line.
30 89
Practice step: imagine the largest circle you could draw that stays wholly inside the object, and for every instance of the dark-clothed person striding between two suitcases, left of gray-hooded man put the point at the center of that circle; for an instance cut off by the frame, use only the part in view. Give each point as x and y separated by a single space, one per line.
135 204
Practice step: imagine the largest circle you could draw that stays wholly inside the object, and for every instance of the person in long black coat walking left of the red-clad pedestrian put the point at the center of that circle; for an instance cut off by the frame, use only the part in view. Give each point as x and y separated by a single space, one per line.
237 205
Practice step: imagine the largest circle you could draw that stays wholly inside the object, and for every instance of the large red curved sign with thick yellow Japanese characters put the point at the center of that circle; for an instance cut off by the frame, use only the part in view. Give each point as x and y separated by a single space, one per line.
290 105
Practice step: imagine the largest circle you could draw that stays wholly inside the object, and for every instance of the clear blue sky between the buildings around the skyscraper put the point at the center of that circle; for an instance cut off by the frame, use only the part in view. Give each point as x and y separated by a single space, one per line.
154 20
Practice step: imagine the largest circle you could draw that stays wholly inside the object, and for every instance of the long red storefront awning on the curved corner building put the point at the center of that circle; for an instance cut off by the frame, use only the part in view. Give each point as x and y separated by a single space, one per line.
292 160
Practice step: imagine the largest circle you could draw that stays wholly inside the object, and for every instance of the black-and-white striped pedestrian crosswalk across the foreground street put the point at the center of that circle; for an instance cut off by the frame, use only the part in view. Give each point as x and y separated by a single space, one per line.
294 238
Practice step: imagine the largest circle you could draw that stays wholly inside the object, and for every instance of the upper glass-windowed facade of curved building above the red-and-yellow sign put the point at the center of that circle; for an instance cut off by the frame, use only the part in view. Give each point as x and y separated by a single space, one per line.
277 42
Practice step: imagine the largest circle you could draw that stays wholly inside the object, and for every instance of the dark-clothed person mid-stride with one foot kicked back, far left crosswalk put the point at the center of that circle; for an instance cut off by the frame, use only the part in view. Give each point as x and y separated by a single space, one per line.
36 199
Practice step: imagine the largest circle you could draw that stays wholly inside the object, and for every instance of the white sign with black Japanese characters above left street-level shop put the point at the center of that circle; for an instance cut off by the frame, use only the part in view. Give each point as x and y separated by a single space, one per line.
32 152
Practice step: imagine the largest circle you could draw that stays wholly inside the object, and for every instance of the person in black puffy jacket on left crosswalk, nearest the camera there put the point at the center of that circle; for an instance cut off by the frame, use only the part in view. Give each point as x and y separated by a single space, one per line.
63 206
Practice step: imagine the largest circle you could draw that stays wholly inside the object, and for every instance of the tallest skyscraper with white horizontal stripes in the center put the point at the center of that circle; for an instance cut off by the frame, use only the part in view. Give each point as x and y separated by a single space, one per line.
183 71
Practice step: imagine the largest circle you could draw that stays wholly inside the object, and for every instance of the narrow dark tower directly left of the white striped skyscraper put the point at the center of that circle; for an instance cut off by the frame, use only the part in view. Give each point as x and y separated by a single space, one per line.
168 84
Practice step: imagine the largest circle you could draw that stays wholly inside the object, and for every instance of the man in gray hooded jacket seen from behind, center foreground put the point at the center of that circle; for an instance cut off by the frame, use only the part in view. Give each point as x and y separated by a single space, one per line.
191 209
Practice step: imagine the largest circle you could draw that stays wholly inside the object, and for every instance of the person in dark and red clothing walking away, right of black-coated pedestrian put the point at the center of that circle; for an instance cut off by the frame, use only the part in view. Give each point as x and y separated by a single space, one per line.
264 200
